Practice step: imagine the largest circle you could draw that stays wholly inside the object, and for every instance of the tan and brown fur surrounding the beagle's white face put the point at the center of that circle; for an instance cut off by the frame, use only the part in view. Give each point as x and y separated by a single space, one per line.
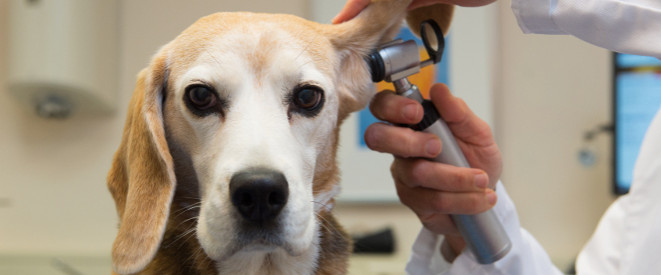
152 180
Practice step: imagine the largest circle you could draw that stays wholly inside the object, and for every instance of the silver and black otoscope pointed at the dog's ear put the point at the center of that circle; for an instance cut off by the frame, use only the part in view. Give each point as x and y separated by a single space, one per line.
394 62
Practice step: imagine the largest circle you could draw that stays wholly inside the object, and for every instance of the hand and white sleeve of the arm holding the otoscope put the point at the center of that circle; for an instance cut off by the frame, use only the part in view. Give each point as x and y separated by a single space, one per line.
433 190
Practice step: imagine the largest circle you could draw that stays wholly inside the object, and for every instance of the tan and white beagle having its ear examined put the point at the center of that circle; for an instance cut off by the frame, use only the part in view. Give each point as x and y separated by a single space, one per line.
227 160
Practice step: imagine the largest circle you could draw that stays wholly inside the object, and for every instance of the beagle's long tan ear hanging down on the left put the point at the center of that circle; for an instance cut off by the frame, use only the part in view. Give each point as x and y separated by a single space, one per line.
141 179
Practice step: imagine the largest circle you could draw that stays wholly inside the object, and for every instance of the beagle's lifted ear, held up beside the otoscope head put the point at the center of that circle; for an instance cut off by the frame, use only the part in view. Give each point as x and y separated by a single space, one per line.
378 23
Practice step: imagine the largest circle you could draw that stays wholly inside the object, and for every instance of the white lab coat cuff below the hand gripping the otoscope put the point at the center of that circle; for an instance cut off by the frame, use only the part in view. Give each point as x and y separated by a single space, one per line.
525 257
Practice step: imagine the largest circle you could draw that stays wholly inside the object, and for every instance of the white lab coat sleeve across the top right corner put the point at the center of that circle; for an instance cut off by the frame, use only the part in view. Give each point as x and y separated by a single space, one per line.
631 26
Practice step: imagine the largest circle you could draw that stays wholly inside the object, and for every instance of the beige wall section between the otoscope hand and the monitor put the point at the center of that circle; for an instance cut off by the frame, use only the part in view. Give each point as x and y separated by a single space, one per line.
553 88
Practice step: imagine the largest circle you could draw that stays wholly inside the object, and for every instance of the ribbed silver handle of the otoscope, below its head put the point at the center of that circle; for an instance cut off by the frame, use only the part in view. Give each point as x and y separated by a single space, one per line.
483 232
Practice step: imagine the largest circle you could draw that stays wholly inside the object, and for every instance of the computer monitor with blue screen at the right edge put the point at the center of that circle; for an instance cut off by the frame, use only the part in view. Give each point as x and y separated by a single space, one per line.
636 100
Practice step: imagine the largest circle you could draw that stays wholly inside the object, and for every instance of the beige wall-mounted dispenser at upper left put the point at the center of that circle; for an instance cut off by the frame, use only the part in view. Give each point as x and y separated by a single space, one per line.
63 55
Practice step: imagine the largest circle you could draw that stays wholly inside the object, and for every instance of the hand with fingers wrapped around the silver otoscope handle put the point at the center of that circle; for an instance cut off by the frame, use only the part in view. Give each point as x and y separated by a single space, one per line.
435 190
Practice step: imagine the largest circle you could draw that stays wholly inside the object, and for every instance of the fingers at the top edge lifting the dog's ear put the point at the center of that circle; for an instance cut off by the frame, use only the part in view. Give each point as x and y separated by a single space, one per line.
353 7
